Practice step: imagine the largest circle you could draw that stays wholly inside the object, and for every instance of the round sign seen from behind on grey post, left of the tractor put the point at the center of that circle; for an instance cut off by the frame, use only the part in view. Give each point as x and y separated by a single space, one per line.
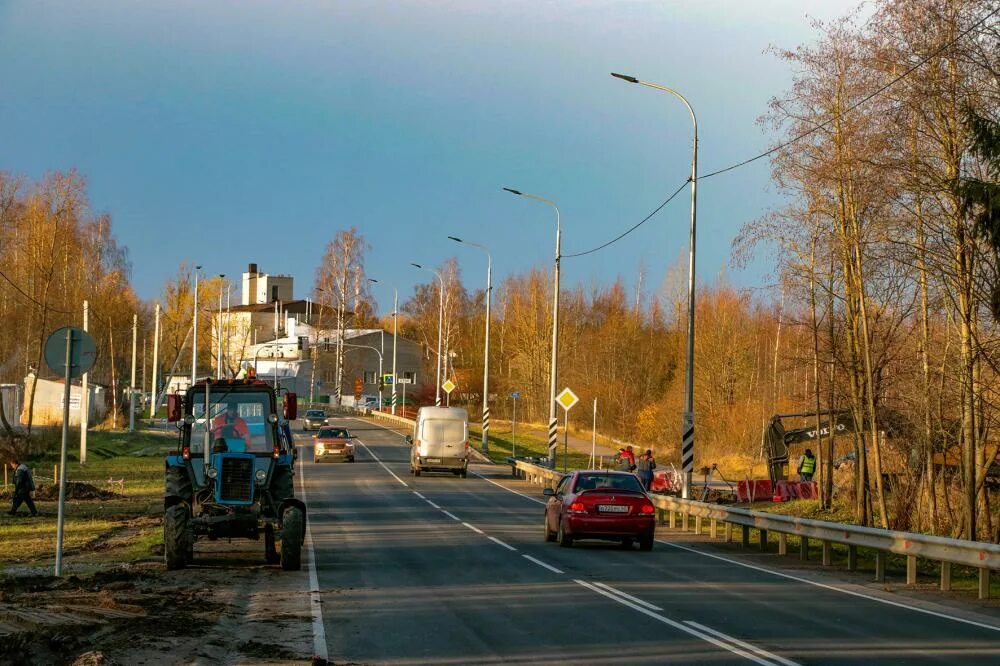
71 352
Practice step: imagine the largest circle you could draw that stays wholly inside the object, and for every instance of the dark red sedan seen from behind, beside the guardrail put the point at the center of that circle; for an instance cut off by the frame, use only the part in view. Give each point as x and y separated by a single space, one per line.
600 504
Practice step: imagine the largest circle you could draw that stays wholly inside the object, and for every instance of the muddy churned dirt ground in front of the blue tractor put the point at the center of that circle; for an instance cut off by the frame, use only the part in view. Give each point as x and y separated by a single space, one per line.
228 608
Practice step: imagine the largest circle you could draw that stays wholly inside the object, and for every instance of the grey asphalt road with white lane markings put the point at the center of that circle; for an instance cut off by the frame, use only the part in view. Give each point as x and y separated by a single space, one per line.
444 570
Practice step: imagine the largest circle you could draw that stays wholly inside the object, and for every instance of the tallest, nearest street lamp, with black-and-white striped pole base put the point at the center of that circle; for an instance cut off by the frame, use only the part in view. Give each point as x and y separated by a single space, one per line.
687 436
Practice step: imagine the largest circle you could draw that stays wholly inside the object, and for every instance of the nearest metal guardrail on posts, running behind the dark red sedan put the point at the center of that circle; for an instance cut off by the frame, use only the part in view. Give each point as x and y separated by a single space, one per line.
977 554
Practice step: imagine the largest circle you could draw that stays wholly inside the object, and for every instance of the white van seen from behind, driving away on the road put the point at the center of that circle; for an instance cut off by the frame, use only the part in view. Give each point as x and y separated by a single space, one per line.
440 441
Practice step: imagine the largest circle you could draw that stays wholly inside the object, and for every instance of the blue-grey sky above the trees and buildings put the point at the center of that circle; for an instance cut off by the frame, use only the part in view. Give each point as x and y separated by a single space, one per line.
224 133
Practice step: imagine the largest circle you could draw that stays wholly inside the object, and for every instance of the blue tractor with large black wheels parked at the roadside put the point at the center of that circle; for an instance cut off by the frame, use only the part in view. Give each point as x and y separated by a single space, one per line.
232 475
